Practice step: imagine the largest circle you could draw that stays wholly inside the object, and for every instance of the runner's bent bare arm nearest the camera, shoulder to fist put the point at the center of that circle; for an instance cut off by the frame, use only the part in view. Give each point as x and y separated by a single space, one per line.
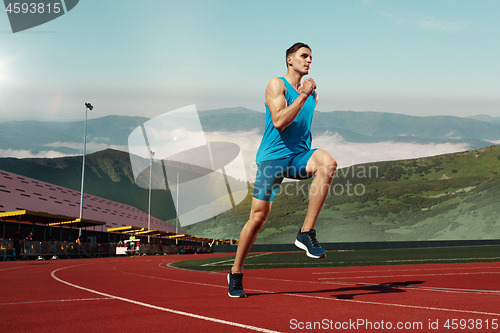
282 114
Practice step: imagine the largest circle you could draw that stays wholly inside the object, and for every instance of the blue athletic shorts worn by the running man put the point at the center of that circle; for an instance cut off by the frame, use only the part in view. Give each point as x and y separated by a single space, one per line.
271 173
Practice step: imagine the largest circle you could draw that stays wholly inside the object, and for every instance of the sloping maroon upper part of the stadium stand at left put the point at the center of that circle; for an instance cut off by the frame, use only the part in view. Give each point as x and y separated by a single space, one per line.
48 203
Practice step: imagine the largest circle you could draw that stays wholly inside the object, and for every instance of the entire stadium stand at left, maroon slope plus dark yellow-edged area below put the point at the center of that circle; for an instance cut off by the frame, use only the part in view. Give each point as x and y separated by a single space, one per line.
51 213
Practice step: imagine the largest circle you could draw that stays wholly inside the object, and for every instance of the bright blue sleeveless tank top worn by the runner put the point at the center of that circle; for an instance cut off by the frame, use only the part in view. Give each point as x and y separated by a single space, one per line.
294 139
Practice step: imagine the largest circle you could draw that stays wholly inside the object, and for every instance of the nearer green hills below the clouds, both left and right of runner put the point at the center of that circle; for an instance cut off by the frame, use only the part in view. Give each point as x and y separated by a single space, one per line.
445 197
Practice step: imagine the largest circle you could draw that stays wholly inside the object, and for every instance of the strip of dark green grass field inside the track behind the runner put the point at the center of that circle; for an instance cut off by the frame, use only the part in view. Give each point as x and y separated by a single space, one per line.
351 258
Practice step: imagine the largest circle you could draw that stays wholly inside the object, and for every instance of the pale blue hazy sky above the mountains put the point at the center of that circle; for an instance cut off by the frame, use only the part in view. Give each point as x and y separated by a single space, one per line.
143 58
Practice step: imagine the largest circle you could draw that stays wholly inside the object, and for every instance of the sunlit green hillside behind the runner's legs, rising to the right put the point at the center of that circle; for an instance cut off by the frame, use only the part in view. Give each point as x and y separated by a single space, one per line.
447 197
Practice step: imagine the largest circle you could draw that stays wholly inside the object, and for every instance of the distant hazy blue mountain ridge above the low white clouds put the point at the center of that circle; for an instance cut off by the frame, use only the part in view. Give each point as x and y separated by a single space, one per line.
364 127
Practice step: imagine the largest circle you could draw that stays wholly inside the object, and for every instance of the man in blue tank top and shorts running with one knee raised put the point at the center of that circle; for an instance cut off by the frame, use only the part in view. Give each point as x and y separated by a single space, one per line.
285 151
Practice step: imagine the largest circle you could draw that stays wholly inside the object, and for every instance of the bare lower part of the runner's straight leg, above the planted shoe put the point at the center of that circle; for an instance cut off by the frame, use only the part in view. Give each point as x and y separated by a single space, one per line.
258 216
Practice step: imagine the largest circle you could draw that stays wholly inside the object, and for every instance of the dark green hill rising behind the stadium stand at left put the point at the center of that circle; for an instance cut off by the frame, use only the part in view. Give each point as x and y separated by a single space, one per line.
108 174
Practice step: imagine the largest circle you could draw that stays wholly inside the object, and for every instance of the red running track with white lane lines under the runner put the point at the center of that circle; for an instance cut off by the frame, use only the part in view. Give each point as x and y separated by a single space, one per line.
132 294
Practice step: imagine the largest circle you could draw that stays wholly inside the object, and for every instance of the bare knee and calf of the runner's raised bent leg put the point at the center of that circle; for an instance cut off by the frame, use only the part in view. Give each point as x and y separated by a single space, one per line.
323 166
